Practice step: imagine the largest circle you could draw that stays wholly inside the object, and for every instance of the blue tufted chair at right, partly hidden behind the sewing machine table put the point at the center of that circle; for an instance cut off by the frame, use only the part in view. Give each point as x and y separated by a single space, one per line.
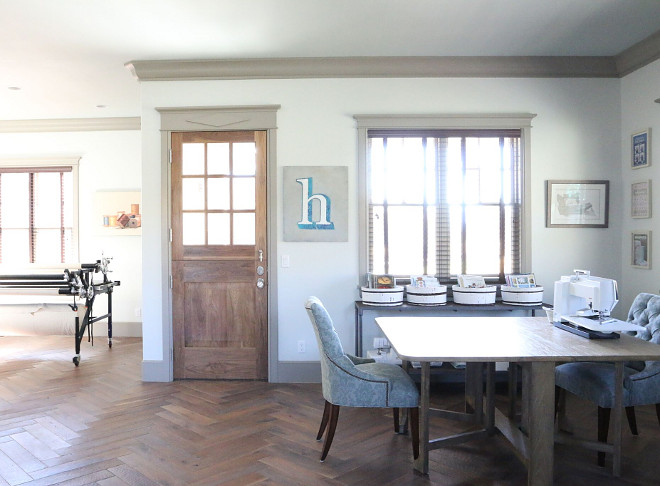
594 381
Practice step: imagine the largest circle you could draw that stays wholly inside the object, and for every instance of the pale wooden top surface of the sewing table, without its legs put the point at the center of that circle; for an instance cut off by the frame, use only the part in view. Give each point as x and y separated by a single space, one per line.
475 339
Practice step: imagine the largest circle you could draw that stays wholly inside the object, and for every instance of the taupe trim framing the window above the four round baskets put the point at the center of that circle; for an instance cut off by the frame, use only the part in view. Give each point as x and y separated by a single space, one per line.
521 121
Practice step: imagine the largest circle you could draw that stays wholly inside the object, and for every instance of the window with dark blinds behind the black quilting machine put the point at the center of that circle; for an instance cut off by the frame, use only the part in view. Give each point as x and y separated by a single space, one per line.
38 221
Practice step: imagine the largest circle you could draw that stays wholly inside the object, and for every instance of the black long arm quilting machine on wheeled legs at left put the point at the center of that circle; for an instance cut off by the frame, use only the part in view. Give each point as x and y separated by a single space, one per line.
75 282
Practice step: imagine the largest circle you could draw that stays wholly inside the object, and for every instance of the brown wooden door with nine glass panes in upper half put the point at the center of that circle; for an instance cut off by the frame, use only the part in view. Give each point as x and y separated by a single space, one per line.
219 260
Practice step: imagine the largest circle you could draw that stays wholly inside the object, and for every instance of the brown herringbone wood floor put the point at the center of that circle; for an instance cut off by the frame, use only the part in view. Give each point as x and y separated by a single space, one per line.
99 424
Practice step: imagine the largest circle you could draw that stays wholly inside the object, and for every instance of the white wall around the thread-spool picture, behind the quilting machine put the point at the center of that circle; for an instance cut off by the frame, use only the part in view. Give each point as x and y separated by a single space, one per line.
110 160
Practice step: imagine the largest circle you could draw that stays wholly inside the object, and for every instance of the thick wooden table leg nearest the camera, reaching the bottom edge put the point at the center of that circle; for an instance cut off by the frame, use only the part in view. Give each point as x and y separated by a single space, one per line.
541 417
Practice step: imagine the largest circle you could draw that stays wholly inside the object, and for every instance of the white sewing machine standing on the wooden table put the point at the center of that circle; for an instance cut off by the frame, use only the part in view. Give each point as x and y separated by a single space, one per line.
585 303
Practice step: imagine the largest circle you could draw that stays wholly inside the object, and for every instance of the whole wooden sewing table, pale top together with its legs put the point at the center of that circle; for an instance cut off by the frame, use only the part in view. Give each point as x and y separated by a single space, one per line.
530 341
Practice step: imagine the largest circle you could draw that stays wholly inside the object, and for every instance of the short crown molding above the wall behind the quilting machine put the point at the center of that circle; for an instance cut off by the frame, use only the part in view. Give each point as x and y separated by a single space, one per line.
70 125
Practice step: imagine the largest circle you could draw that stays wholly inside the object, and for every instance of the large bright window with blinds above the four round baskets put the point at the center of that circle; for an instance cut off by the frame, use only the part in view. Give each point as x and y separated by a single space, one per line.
443 201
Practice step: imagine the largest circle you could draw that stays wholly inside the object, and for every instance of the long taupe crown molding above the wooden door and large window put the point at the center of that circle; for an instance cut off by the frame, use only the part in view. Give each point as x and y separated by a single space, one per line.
375 67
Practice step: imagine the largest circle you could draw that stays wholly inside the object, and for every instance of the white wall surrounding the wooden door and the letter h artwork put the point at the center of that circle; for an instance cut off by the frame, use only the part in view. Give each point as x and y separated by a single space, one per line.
576 135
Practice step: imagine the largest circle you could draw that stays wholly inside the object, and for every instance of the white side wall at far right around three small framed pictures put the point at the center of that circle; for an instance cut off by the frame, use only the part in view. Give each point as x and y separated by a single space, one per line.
638 92
